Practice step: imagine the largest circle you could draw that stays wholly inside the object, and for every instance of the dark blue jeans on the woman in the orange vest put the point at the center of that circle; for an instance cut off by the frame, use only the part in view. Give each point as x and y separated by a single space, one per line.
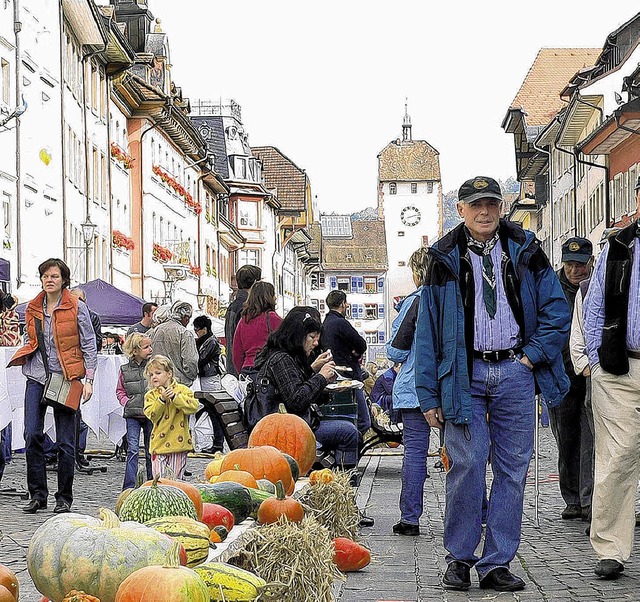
65 420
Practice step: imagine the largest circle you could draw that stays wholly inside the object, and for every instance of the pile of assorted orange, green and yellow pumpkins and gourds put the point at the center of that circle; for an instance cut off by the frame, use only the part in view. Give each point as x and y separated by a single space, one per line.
158 540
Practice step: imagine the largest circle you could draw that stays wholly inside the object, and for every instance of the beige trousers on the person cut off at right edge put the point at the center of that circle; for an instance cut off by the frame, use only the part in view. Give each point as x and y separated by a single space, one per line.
616 417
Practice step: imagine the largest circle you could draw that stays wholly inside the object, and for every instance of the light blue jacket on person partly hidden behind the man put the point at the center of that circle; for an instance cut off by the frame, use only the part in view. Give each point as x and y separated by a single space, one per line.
401 349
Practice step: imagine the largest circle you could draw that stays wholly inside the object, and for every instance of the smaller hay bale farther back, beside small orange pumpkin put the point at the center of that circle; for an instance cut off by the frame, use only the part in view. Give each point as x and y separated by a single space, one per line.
334 505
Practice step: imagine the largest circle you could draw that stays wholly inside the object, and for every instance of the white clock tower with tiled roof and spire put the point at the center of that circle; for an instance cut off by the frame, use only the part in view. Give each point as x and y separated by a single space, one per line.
410 203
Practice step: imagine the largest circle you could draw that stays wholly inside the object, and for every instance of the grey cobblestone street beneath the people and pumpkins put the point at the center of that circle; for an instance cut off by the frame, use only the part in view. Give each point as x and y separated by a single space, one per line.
556 559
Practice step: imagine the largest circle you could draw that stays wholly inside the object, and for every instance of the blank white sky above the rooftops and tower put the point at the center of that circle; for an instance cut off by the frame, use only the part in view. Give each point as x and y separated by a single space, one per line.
326 82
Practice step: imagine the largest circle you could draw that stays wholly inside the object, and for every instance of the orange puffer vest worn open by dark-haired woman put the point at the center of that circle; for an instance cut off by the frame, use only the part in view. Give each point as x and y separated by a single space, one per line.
64 323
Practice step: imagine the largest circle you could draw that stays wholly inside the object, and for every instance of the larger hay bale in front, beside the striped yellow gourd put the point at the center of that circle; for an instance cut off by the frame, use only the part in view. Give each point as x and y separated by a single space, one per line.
298 555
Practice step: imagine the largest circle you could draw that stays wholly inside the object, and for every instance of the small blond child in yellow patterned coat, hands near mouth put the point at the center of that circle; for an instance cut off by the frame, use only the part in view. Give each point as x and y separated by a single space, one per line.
167 404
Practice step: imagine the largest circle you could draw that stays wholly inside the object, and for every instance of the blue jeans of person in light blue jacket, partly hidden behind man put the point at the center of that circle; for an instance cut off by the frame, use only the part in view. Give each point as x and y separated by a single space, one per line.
415 438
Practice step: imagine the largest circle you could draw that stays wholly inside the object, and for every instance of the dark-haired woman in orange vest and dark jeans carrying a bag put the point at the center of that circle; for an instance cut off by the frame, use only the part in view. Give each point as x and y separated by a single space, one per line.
64 325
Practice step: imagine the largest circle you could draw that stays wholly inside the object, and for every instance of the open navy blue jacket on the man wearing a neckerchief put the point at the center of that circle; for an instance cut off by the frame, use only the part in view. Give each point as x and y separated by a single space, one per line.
445 355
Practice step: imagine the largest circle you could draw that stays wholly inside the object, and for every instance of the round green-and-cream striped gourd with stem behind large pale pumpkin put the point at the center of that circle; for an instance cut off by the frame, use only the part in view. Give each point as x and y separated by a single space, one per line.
146 503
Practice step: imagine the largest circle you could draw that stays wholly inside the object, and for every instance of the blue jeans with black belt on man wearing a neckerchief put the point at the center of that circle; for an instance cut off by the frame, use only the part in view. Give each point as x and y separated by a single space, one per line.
503 417
